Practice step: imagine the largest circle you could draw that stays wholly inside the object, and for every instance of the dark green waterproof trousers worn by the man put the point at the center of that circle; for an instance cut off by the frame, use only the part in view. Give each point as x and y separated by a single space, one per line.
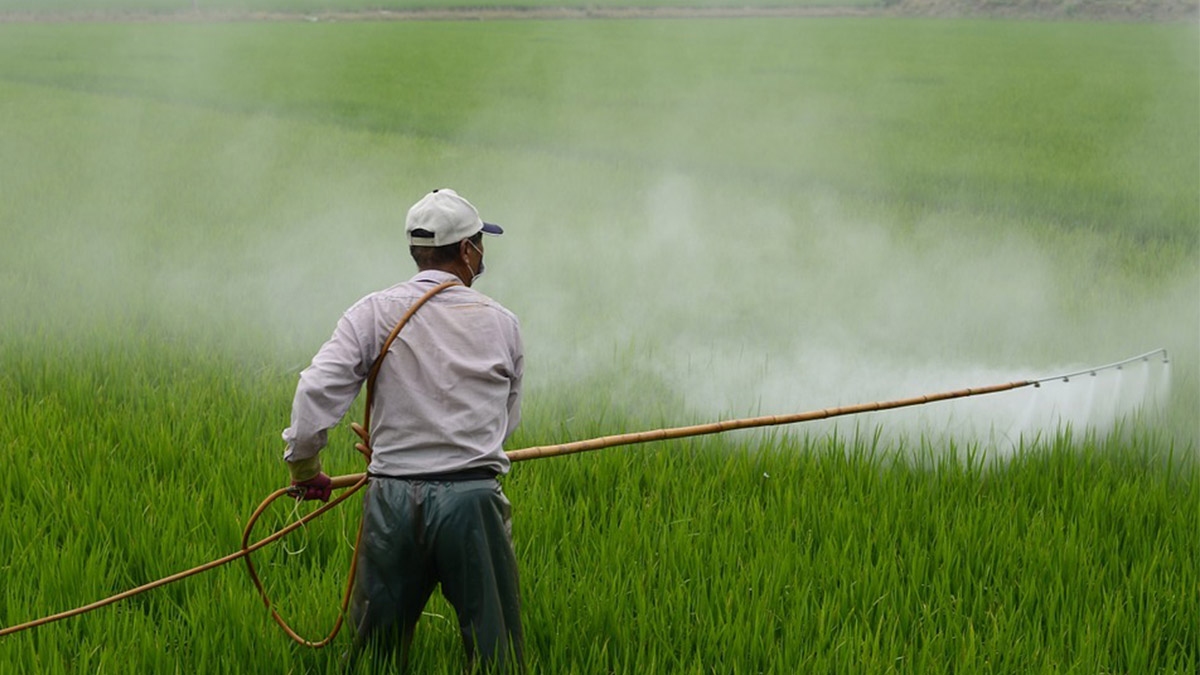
421 534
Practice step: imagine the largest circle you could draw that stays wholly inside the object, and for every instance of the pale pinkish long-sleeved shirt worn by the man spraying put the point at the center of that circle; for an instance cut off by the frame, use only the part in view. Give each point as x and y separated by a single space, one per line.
448 393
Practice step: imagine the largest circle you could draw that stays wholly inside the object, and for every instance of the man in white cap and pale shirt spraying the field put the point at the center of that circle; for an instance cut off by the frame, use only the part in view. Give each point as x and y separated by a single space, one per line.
447 397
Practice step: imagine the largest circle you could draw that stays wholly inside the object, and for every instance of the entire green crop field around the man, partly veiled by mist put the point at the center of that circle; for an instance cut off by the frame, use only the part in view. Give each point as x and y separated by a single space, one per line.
705 219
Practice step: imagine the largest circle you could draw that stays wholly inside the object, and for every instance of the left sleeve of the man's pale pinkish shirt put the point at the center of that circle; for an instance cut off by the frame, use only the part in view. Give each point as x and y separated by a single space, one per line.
326 392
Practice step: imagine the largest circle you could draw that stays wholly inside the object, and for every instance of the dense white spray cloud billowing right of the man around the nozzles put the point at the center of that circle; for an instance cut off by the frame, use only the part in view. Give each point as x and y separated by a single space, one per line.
829 310
